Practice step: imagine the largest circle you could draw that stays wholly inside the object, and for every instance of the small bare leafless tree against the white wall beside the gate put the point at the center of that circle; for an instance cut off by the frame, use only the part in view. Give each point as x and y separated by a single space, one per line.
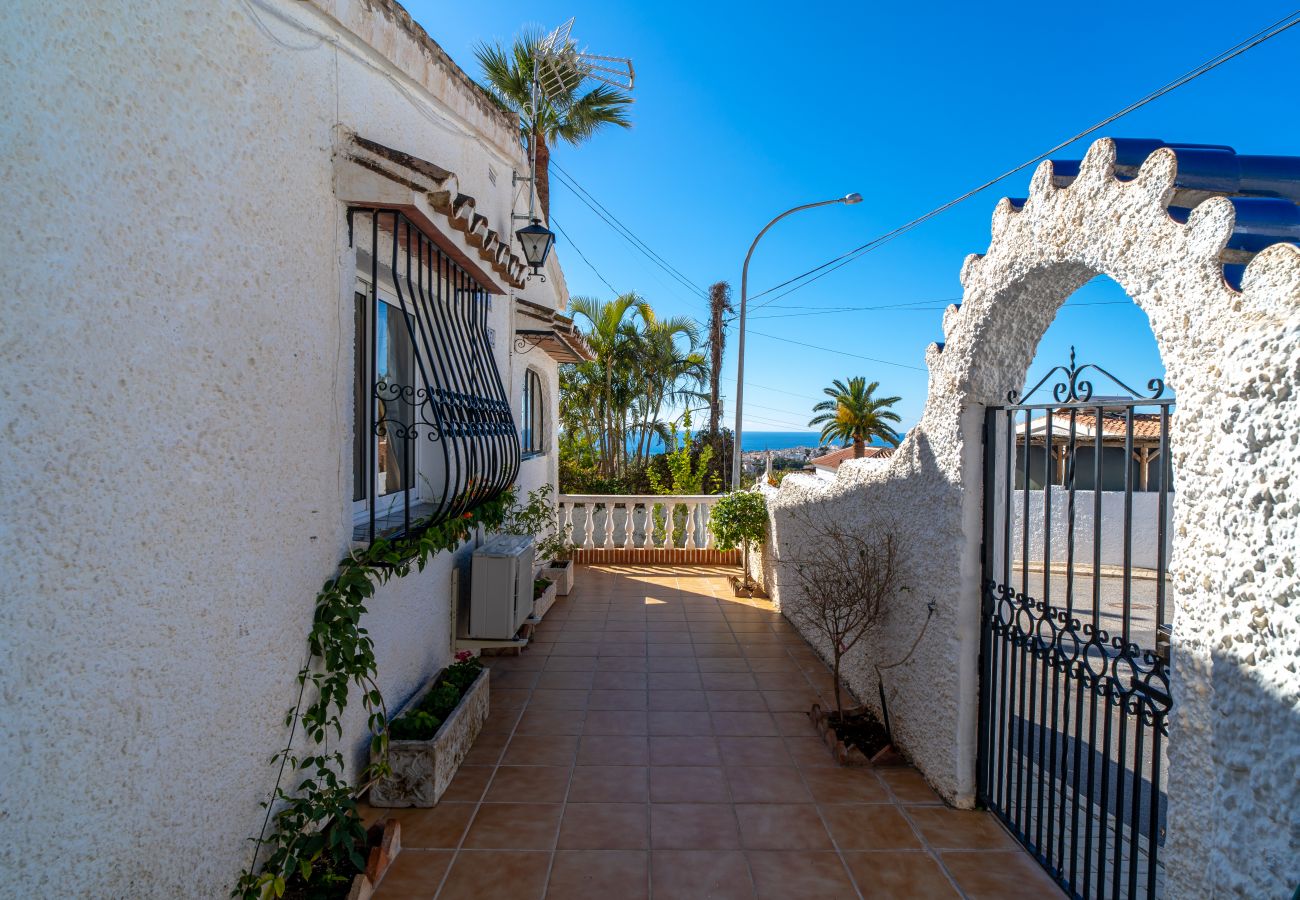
844 583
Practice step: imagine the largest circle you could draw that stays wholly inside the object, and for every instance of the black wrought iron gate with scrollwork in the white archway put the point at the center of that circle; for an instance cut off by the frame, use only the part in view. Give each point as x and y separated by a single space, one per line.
1074 689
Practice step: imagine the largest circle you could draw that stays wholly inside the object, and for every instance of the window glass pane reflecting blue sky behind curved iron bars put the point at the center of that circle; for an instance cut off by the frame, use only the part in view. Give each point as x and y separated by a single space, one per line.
395 373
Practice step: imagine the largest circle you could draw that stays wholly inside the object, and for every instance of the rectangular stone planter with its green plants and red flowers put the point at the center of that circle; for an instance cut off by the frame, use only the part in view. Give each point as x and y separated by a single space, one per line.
432 735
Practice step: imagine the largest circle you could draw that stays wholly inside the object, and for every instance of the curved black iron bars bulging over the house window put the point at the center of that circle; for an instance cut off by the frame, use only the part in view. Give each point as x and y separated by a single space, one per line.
444 421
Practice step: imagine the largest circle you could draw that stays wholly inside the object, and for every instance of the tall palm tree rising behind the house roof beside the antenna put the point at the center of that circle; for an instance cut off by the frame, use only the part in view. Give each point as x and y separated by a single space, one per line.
565 115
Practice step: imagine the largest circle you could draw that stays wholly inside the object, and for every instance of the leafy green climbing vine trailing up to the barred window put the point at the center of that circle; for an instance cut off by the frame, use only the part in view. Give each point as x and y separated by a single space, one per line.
317 841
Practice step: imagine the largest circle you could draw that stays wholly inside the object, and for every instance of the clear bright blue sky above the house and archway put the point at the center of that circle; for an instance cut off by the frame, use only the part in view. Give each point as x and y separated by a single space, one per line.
747 110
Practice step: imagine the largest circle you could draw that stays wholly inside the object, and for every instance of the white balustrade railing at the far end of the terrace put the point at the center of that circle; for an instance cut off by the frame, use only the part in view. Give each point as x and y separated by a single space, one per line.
638 522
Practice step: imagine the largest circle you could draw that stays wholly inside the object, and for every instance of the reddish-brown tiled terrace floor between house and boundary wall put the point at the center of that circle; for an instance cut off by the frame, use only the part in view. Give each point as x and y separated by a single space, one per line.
653 743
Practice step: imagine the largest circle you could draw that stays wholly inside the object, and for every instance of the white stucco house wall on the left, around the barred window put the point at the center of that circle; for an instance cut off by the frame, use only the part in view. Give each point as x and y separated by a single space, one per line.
176 403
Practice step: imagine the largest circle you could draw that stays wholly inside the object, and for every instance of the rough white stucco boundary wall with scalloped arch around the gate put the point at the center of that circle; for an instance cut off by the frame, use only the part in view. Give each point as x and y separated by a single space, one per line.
1233 360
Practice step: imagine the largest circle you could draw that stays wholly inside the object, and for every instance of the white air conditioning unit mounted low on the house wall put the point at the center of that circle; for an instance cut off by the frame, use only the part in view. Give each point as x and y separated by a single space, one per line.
501 587
